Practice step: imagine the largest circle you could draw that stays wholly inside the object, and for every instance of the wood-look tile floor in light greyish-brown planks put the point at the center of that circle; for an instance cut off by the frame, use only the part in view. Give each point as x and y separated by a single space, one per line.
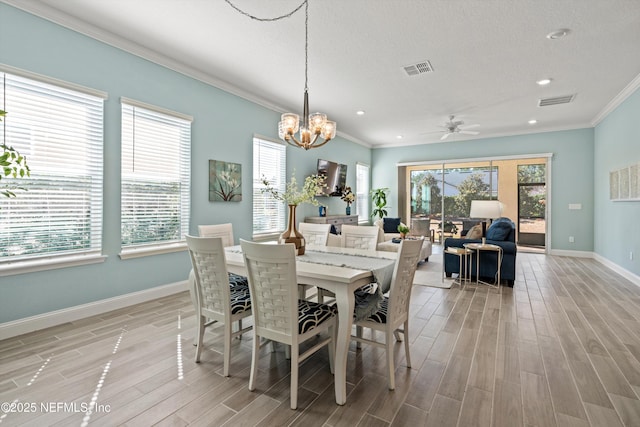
560 348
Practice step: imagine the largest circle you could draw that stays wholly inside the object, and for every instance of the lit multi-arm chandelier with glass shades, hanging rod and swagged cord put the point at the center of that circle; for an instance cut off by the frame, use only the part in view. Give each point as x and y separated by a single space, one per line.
315 130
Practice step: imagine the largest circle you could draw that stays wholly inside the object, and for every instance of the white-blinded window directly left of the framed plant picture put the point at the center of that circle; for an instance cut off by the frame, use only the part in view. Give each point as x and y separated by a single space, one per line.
156 146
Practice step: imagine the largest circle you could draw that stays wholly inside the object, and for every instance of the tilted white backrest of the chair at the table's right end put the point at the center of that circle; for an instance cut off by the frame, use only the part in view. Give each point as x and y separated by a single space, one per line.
402 281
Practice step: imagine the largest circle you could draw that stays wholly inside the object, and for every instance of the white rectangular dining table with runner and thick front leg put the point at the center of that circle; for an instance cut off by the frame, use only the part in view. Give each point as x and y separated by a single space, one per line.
343 275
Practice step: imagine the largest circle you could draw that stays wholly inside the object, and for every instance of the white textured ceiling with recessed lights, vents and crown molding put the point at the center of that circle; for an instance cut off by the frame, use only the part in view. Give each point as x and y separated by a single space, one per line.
486 55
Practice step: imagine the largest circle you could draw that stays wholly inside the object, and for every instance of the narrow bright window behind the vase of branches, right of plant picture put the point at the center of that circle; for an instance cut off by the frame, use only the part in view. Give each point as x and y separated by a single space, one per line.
269 160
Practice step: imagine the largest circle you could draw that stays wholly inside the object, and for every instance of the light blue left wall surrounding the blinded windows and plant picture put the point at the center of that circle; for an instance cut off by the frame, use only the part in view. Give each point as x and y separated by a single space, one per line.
223 128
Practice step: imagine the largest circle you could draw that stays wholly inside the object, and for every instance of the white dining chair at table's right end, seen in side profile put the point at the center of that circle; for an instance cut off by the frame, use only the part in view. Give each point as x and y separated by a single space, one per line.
393 316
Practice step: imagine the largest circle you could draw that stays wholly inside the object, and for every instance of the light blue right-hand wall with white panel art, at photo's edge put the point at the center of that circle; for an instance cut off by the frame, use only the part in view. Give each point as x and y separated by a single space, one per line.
617 224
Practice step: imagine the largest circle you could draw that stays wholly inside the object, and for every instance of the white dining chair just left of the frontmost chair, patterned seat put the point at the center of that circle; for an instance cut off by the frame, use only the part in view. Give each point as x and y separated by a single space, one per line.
216 300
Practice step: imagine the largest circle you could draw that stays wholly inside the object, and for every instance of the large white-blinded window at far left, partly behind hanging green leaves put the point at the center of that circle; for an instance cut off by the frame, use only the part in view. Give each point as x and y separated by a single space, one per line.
58 127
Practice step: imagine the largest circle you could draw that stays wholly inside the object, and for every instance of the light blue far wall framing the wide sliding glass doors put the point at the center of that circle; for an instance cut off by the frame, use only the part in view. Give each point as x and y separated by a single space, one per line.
571 170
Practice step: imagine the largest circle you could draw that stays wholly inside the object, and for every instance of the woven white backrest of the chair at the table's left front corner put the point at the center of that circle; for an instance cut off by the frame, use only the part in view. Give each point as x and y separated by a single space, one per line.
211 276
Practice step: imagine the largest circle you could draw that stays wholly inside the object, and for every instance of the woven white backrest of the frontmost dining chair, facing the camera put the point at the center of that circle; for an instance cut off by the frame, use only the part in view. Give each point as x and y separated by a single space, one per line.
274 290
